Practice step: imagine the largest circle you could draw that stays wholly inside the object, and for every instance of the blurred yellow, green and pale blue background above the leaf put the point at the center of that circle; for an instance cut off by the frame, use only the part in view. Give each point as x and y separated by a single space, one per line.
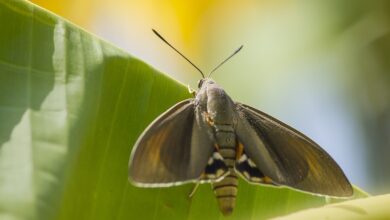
320 66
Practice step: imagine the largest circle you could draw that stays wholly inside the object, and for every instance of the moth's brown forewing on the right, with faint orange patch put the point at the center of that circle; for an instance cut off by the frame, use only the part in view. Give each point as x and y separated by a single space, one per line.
298 161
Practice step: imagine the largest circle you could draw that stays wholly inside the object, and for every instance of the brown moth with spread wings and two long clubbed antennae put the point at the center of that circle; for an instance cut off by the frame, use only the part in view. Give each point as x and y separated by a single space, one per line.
212 139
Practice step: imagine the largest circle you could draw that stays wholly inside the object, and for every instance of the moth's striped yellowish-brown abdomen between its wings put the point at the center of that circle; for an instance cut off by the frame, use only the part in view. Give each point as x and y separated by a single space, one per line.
226 189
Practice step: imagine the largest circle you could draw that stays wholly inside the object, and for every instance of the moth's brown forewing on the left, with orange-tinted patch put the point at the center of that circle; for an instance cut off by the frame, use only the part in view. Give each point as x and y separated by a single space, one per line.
172 150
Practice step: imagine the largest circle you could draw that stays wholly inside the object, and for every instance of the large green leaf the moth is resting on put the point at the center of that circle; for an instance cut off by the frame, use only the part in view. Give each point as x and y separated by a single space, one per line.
71 108
